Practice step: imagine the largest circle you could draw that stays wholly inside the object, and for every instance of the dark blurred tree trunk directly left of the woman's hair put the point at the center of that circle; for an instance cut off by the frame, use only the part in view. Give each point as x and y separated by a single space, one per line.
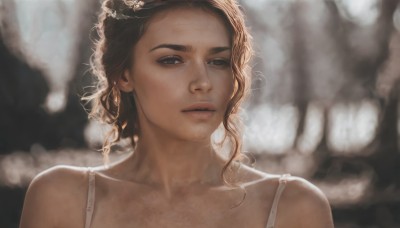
73 119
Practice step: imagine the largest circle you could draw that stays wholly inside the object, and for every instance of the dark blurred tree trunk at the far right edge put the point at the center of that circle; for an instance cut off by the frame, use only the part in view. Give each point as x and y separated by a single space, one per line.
386 161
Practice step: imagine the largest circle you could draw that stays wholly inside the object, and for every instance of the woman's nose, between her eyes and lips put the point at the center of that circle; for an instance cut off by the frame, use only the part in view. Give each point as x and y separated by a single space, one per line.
200 82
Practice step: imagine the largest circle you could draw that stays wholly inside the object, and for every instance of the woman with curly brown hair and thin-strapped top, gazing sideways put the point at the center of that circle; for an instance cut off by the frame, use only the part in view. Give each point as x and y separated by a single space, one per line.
169 73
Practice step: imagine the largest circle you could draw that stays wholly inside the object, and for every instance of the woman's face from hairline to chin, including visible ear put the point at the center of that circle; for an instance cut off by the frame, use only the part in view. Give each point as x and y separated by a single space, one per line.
181 75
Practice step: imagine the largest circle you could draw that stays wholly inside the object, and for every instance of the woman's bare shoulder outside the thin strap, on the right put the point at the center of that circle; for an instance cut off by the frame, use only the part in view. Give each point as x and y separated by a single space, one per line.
304 205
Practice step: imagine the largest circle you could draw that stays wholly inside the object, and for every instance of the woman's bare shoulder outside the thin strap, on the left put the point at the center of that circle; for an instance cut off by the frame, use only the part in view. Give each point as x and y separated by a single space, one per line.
53 196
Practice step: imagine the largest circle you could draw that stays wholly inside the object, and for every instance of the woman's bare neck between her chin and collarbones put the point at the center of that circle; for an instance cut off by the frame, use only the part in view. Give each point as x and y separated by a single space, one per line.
173 165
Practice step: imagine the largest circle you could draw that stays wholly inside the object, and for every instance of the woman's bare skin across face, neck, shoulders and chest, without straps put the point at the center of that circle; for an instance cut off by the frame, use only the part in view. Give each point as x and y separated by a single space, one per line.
173 177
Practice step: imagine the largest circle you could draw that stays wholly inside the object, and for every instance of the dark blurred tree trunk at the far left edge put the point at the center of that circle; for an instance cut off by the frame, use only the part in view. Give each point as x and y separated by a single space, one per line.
23 90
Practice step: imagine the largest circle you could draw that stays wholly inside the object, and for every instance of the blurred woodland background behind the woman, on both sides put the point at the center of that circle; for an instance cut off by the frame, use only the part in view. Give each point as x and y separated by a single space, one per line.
324 104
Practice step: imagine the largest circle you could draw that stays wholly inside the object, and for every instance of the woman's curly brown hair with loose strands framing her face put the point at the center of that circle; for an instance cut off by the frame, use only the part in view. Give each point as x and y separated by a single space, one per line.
120 27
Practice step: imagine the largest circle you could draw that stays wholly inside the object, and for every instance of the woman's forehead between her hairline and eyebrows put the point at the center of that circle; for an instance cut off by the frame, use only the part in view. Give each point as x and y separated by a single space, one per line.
187 26
